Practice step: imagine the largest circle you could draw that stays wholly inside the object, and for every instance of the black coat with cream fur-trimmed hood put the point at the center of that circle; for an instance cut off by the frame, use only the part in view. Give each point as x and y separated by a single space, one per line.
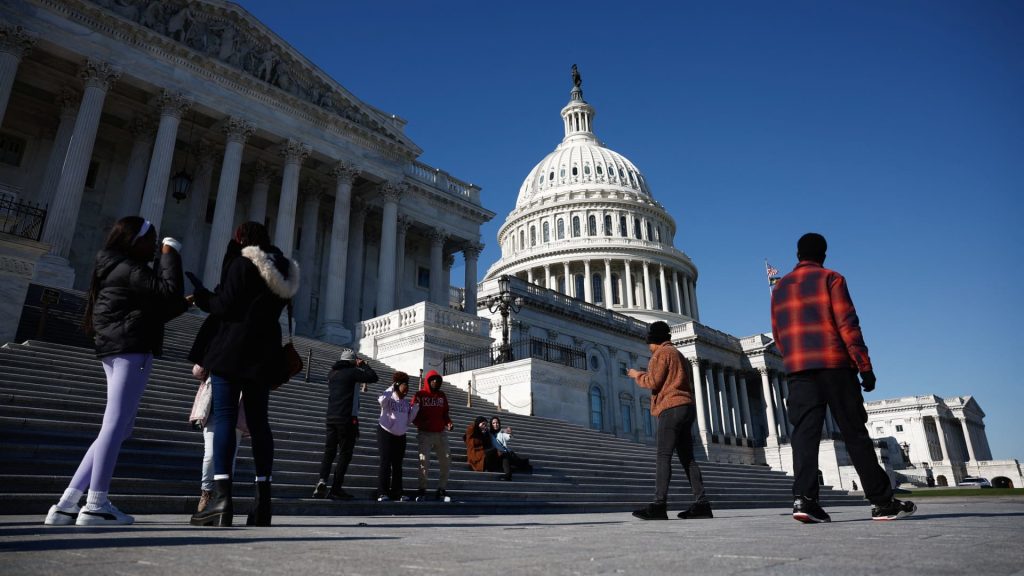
248 304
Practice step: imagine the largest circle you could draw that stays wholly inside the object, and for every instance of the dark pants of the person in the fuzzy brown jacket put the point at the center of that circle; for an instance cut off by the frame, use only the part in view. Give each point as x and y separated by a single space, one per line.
675 435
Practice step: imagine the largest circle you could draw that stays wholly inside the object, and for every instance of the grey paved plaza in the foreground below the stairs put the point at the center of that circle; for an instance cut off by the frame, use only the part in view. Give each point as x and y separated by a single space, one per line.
948 537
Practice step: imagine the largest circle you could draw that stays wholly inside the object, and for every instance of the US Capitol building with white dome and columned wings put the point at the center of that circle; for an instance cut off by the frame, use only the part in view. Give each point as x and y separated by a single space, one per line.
198 117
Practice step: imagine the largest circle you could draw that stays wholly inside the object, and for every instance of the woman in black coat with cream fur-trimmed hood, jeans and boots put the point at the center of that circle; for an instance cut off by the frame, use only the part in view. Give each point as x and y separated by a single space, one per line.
246 357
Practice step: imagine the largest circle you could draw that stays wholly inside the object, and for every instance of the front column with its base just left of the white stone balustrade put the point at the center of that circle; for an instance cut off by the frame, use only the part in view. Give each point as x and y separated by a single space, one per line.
337 258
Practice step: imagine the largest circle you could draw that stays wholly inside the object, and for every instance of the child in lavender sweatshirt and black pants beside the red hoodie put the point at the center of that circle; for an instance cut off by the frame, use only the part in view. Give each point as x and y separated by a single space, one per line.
397 415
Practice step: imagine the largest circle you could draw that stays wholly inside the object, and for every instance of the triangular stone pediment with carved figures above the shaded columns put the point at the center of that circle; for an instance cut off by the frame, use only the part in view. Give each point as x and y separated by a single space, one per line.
227 33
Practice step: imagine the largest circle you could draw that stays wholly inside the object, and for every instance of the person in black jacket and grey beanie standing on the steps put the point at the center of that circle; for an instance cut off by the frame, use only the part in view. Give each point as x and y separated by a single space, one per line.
343 421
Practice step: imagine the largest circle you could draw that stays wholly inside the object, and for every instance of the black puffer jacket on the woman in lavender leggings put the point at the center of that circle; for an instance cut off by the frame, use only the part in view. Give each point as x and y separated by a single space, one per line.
135 302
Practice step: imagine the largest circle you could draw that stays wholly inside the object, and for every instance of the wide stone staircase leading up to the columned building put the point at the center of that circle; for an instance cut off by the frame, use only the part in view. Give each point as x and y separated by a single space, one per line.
53 398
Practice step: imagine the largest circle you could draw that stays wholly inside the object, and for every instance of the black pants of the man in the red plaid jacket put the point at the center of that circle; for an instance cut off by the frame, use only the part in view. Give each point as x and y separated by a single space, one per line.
838 389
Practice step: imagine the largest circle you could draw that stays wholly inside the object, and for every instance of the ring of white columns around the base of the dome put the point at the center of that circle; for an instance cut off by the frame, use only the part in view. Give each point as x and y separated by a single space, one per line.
684 287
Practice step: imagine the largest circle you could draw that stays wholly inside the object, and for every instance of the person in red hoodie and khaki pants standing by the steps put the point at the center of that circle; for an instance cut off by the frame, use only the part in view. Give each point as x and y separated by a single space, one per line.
433 424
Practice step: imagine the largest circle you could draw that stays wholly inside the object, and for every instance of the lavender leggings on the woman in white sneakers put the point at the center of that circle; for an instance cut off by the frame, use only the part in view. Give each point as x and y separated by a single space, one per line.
126 379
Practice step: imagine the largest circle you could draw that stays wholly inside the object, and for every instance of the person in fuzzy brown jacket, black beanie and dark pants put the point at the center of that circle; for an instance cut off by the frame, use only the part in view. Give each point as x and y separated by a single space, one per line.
672 403
